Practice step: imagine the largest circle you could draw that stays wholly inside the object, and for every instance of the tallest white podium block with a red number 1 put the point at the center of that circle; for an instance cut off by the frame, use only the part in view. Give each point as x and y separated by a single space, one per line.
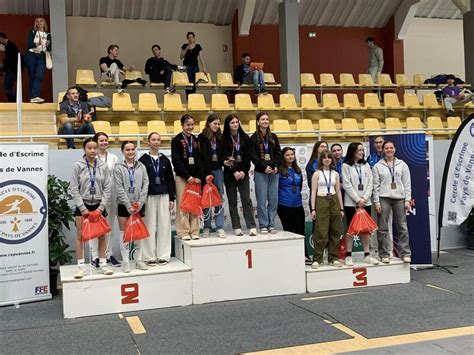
244 267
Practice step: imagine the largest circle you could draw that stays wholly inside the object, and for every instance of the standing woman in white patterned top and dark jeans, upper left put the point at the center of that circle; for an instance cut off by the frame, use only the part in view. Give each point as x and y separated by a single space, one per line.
39 41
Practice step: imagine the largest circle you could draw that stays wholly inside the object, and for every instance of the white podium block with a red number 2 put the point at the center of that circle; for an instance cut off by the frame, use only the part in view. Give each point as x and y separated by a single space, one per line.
157 287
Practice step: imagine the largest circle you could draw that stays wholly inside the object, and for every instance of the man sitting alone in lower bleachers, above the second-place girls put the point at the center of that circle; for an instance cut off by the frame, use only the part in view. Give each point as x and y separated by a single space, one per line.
74 116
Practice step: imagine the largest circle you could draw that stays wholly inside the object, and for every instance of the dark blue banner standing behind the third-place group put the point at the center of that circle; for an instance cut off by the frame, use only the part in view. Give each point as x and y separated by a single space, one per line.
413 150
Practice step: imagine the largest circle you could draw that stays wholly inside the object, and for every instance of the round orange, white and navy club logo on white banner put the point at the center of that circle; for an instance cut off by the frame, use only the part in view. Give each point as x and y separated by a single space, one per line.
23 211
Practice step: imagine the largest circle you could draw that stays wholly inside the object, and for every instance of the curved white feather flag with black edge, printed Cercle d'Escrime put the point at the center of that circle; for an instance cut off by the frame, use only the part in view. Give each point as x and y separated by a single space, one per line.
457 188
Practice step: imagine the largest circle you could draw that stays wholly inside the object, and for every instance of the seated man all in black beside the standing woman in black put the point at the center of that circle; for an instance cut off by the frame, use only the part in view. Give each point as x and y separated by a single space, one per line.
160 70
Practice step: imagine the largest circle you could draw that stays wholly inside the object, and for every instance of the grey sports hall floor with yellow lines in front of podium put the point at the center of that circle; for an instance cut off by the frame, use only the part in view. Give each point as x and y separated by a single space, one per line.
434 314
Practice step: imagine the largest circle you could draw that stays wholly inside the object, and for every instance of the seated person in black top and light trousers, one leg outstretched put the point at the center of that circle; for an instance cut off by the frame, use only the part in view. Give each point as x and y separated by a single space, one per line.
111 68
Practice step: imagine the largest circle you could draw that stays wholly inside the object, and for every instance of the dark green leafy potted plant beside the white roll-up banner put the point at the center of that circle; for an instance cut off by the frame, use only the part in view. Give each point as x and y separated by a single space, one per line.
59 216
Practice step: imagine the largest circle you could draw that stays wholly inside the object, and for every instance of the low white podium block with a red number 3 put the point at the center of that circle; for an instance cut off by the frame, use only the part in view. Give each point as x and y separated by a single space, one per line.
328 278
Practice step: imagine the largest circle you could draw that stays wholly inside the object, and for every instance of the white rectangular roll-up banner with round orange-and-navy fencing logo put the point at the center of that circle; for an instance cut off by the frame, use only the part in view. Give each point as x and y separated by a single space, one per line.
24 260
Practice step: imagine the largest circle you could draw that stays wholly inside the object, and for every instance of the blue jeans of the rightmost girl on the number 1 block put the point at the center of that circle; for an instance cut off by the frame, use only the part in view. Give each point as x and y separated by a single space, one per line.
266 191
